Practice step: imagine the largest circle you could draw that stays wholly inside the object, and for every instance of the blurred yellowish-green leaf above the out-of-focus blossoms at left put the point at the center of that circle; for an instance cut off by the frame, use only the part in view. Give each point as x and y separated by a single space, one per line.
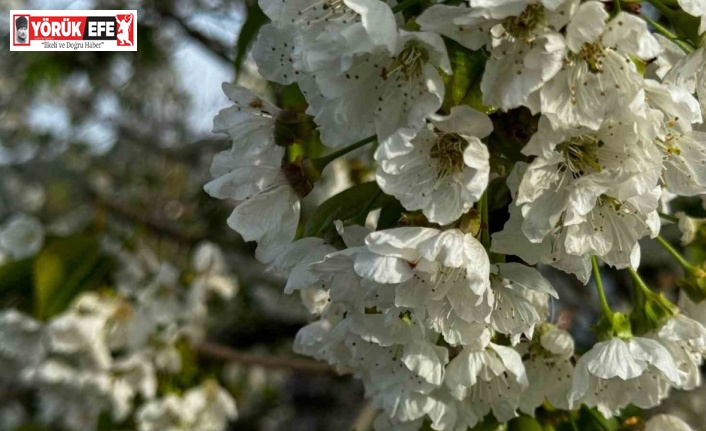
64 268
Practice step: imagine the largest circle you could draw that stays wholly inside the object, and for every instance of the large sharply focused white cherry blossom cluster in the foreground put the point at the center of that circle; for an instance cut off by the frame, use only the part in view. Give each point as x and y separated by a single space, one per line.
439 319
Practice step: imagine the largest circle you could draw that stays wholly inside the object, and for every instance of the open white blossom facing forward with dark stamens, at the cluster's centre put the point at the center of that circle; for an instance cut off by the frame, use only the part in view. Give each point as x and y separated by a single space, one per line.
442 171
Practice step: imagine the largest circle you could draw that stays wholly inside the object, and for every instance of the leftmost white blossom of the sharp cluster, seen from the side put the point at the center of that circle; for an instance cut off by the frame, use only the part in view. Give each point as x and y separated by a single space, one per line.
250 173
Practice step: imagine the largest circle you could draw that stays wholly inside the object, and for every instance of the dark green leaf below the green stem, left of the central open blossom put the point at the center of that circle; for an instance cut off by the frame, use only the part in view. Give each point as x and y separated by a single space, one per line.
343 206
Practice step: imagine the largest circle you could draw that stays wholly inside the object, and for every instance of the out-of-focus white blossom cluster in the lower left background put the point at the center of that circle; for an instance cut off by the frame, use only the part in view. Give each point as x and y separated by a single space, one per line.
107 353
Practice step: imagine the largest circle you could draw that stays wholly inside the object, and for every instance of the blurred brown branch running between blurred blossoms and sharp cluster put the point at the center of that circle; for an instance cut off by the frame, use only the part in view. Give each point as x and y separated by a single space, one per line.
276 362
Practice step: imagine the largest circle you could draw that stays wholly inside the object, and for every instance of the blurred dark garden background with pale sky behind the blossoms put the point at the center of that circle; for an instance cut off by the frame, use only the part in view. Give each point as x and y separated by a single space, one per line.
110 151
